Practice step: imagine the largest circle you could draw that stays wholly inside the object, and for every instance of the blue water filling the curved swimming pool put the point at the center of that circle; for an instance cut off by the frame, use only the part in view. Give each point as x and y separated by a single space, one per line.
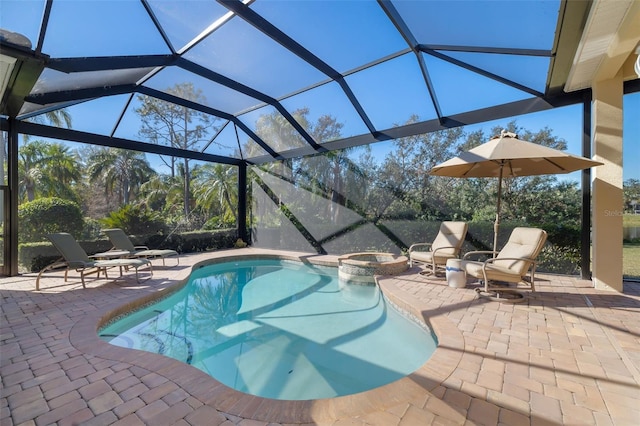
280 330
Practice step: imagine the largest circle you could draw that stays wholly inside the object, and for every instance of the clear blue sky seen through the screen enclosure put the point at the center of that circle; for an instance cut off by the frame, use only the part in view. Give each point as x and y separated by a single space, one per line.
80 28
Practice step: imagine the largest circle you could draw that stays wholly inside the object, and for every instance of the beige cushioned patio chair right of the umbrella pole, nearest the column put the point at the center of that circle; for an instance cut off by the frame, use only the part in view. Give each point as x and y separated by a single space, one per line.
512 263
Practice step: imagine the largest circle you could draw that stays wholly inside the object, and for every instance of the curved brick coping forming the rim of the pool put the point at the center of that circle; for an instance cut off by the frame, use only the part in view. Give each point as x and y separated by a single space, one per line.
84 337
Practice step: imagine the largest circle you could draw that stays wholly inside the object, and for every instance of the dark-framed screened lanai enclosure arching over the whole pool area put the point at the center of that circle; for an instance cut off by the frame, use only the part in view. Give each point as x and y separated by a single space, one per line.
314 123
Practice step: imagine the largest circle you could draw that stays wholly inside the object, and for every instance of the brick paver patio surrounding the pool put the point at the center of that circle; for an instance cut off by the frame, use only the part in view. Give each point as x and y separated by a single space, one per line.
568 354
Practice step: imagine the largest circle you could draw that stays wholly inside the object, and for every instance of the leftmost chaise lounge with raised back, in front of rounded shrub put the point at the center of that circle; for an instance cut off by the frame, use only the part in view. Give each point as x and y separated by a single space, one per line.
74 257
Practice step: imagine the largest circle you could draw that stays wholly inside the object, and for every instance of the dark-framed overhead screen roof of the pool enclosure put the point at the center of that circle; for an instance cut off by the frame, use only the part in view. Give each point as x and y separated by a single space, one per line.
356 68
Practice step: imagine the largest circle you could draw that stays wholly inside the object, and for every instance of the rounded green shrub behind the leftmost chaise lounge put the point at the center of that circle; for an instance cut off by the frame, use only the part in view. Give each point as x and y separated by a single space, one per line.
44 216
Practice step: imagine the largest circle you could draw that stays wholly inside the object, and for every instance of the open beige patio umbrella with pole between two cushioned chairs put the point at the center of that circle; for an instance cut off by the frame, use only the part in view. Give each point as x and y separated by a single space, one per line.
507 156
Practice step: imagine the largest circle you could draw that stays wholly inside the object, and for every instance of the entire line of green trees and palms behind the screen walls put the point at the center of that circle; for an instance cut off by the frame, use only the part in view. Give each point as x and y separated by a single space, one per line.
119 187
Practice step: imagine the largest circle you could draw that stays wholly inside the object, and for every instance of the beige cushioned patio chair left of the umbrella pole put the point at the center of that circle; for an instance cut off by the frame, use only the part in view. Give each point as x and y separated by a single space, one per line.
445 246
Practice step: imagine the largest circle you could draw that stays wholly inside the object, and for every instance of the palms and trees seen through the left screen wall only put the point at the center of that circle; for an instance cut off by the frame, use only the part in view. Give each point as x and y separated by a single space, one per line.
113 185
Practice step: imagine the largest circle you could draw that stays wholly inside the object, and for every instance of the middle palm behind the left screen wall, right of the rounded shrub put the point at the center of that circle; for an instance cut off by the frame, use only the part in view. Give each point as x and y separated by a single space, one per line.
123 171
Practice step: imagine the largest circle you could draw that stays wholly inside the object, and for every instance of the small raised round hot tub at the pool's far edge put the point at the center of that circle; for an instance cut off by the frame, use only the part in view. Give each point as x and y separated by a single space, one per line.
362 268
